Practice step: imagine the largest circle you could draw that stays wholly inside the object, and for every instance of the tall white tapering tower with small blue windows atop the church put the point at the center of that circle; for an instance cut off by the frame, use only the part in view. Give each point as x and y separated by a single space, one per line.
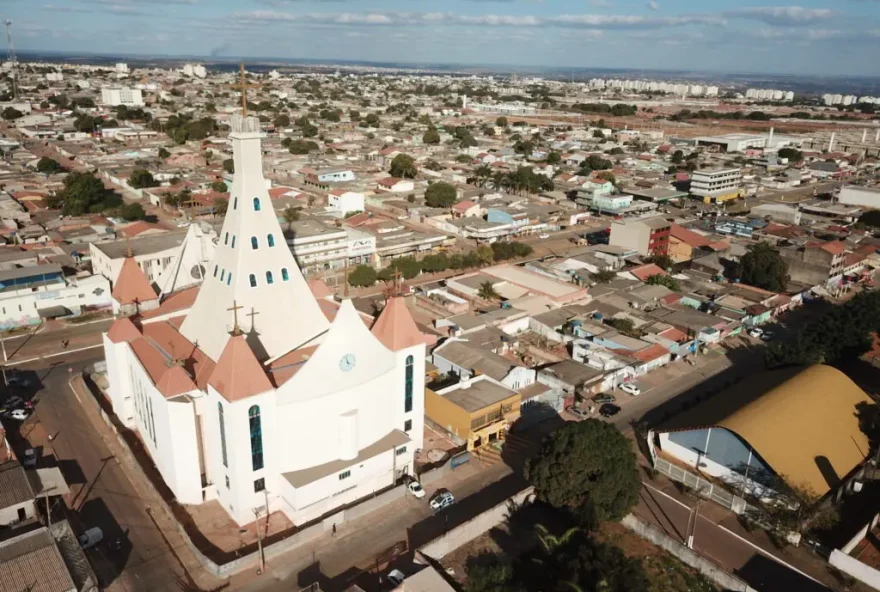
253 268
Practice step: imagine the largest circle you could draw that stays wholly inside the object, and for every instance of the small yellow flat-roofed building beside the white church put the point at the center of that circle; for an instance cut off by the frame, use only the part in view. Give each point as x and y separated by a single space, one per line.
478 410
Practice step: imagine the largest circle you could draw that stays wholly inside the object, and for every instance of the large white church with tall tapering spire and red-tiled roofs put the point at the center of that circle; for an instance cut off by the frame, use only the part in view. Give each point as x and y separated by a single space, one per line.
252 390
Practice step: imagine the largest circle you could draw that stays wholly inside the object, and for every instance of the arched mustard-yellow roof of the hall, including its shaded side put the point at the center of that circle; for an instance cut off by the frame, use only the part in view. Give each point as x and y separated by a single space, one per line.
805 427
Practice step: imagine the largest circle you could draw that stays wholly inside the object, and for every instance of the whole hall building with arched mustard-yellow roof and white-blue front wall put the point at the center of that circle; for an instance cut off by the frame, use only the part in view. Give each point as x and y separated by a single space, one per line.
799 425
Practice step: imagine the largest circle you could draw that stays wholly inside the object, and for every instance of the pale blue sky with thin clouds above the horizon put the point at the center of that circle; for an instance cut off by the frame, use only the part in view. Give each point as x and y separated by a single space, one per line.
813 37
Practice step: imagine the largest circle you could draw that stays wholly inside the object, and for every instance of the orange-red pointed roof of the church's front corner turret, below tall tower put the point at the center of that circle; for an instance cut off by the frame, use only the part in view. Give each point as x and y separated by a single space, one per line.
238 375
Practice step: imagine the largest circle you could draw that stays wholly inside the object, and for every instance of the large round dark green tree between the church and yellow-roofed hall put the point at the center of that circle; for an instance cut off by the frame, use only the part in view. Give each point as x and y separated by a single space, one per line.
589 466
